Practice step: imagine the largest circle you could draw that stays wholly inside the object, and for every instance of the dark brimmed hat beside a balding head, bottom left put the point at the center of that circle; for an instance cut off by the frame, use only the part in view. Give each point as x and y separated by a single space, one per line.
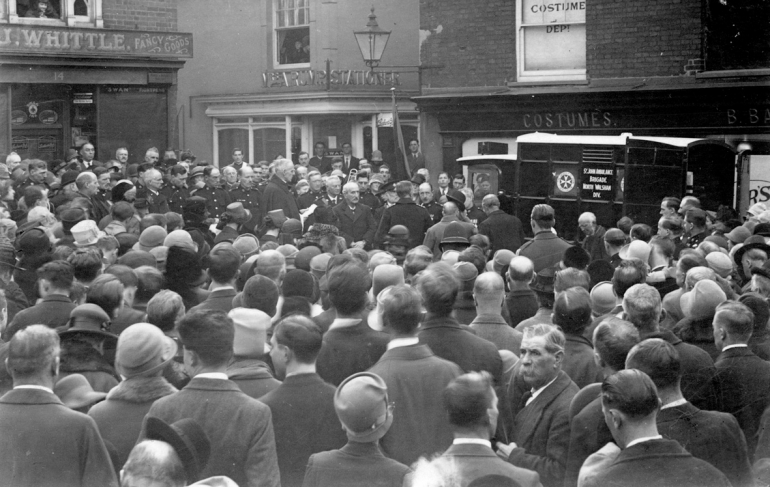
188 439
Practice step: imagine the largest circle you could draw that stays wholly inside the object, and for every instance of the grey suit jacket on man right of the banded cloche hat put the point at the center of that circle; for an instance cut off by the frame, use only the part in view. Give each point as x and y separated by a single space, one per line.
416 379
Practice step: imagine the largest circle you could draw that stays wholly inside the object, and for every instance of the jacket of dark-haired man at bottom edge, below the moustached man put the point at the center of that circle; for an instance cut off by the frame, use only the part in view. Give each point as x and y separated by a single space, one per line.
474 461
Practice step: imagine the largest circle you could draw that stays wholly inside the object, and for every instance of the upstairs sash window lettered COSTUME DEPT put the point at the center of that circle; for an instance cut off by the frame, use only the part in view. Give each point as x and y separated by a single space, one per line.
551 40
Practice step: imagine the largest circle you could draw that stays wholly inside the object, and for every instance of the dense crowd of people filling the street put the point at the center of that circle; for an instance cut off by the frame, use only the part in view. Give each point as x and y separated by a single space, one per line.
308 325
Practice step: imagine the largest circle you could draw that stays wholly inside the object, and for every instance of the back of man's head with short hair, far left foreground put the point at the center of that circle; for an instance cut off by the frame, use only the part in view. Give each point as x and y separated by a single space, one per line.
33 352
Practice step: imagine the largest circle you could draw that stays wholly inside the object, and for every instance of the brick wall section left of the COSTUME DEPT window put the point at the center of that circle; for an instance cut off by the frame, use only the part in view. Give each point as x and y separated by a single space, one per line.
474 40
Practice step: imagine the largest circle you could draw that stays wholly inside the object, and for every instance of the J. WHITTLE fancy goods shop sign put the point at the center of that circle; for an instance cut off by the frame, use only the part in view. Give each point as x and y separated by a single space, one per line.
44 40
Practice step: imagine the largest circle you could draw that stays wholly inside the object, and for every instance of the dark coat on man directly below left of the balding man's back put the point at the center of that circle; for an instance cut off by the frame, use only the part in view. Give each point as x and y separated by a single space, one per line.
449 341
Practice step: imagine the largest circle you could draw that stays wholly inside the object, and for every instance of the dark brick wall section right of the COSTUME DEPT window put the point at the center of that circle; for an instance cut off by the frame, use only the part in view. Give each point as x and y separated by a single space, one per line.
652 38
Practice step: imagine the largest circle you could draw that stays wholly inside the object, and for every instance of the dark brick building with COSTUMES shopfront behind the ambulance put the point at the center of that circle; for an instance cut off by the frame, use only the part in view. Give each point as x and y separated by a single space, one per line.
680 68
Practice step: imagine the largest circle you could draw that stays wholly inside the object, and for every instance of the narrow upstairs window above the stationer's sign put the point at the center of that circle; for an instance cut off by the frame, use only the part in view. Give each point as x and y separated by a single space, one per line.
292 32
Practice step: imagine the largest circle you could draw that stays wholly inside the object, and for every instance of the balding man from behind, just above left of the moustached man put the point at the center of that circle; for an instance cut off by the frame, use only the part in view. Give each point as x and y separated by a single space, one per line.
489 296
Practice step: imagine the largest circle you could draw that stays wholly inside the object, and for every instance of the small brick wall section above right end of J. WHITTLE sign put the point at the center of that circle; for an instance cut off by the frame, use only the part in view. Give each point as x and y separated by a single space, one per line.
152 15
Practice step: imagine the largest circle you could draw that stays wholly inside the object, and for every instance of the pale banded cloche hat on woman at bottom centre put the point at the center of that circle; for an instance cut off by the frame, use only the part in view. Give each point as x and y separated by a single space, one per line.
361 403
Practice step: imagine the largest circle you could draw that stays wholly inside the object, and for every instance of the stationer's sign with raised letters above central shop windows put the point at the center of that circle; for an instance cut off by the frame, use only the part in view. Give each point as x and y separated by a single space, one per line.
337 77
